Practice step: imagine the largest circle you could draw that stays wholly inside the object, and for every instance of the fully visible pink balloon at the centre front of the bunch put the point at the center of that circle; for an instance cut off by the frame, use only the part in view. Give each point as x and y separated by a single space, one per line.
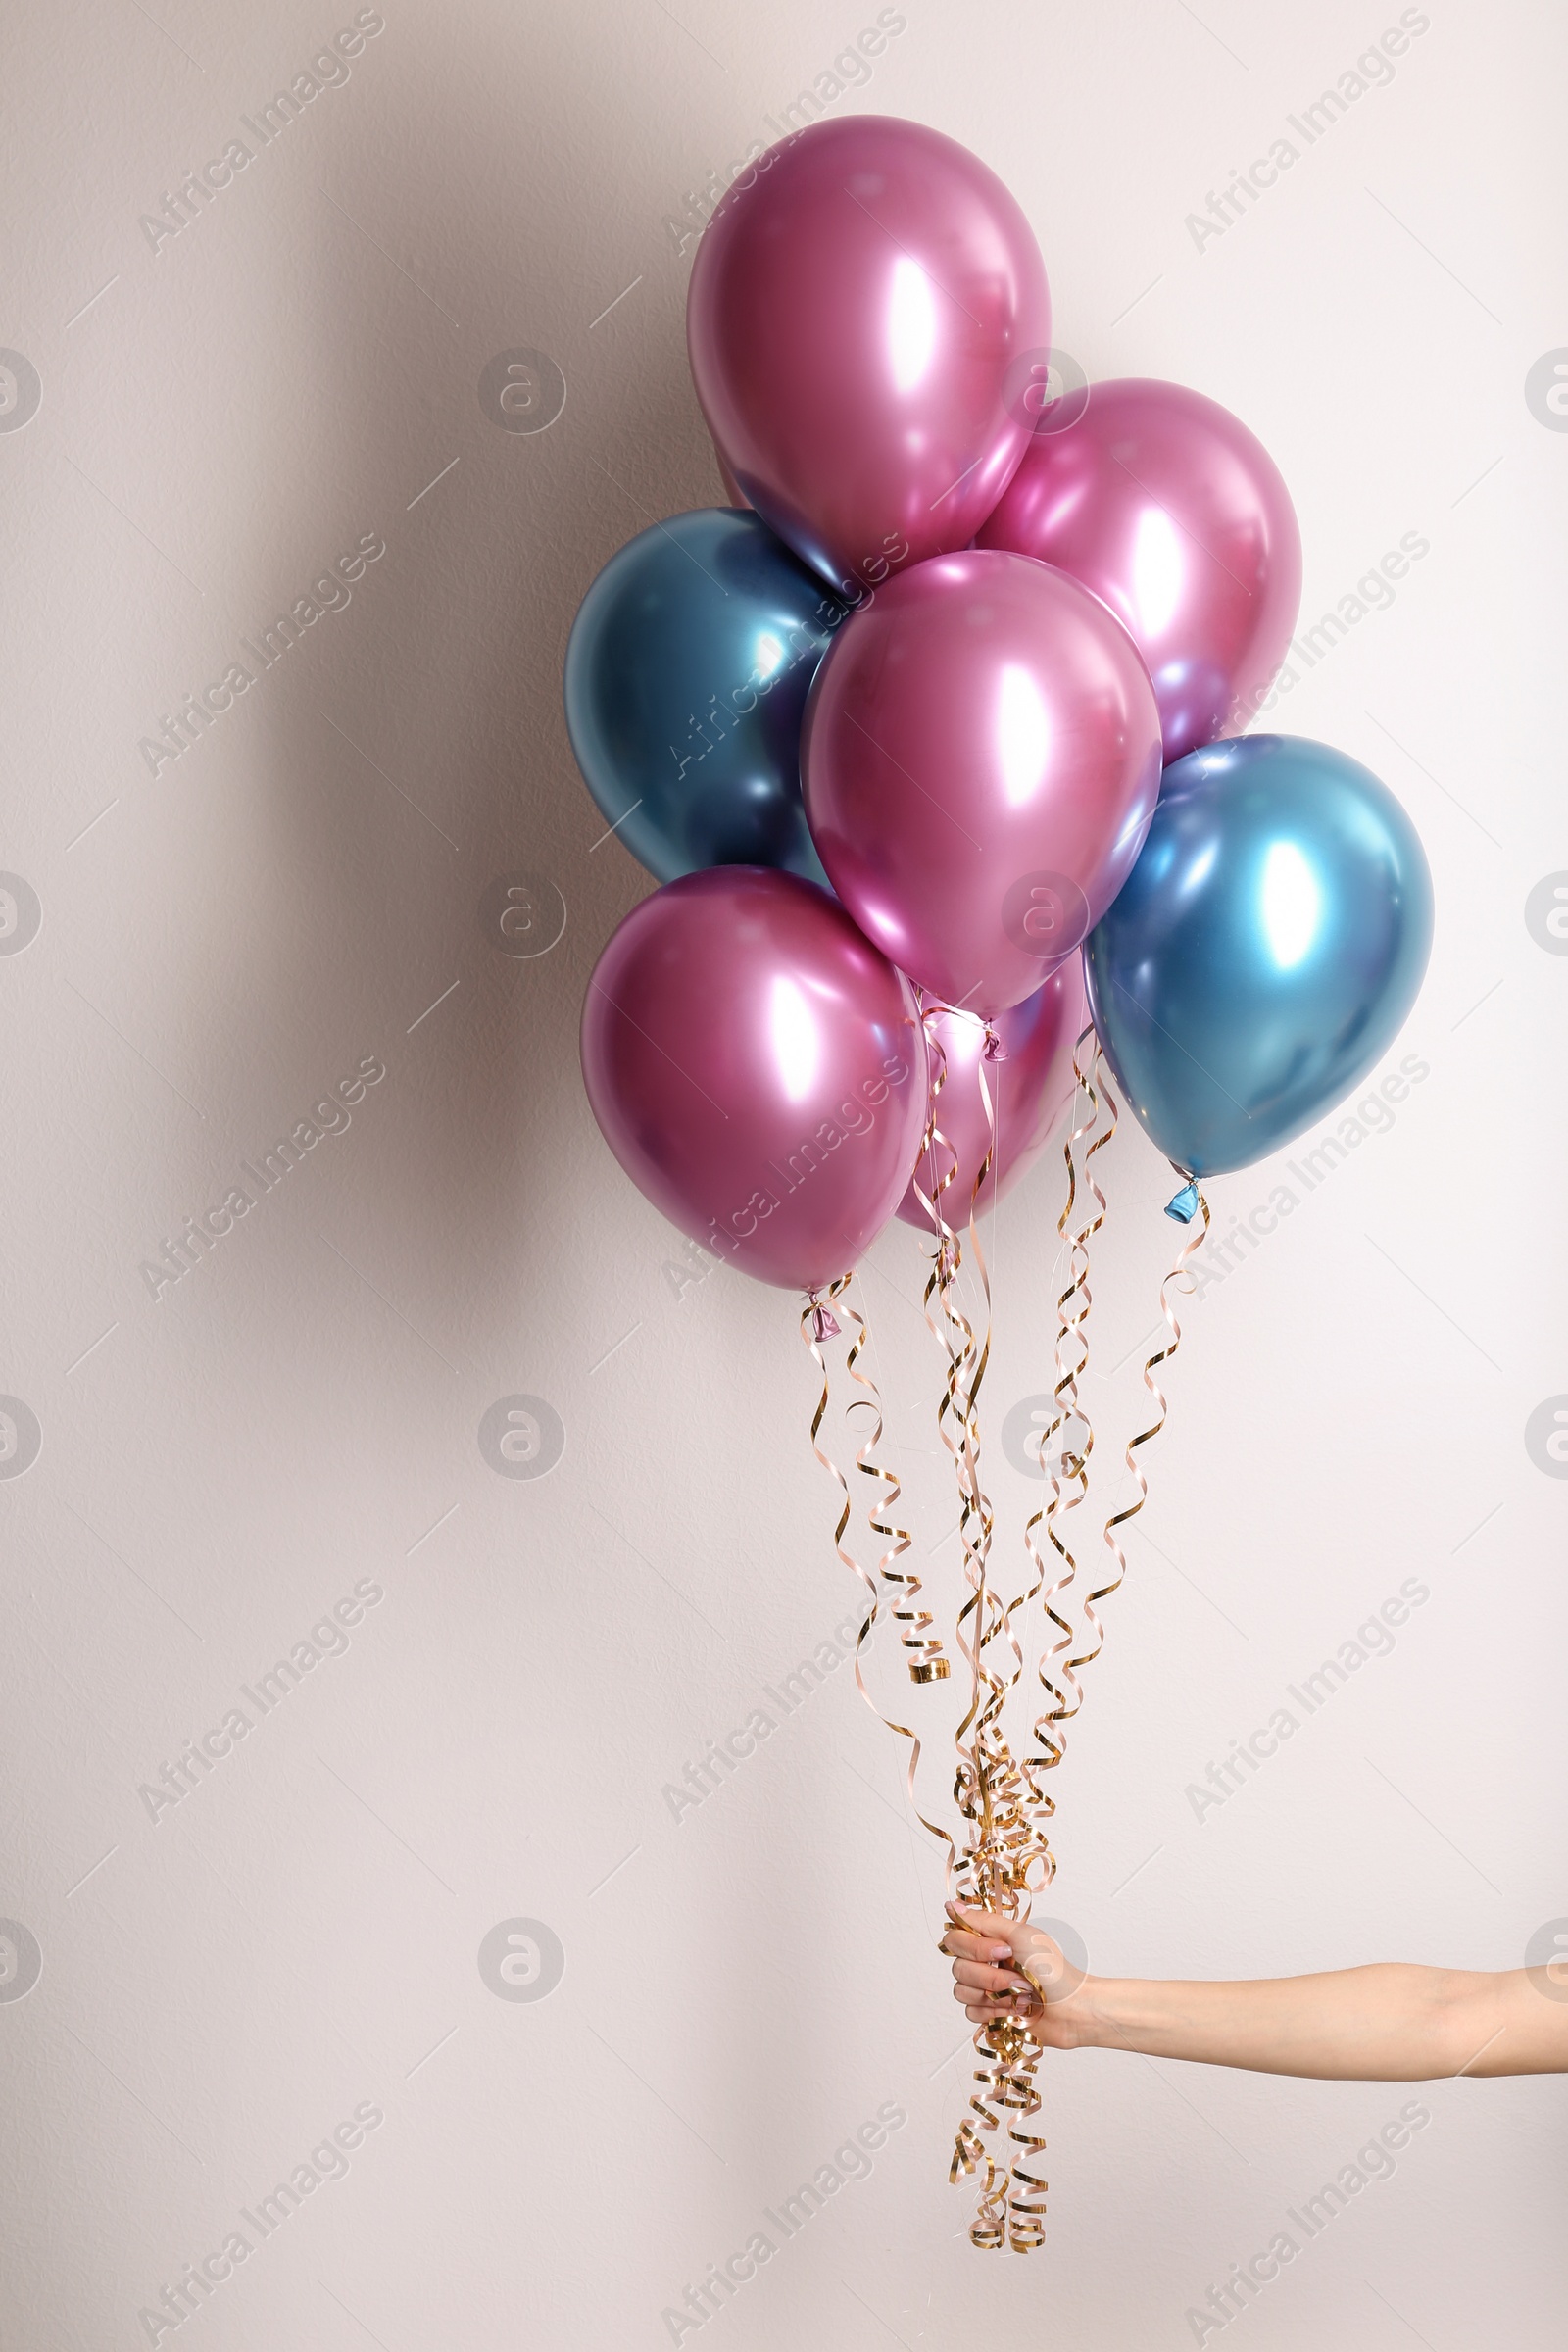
981 761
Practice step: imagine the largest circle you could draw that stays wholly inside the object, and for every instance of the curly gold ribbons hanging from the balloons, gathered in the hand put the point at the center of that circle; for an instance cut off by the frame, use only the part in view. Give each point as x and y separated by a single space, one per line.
1003 1798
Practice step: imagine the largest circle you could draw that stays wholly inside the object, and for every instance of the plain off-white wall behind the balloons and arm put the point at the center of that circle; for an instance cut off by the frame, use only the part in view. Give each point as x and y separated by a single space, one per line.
227 940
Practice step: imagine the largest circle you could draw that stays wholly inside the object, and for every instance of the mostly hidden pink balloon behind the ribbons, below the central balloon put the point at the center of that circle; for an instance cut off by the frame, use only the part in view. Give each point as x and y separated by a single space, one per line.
1028 1093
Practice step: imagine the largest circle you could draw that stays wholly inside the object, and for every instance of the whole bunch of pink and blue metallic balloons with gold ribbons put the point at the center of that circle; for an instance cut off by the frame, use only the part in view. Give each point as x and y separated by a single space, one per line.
934 744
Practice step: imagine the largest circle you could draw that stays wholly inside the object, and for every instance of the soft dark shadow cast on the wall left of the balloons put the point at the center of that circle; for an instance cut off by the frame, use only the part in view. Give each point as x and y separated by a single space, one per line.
422 756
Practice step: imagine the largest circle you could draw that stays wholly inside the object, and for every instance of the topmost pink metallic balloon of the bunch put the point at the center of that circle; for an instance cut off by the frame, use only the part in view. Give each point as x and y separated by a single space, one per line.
864 314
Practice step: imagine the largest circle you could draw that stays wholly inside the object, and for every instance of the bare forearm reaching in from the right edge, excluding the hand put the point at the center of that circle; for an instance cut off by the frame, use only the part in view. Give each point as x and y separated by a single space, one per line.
1383 2024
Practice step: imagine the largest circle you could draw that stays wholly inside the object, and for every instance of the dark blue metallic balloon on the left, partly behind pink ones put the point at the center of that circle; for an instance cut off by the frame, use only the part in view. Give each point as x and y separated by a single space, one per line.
685 686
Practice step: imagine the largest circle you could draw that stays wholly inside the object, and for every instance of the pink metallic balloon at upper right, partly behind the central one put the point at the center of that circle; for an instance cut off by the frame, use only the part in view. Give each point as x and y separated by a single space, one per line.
1172 512
